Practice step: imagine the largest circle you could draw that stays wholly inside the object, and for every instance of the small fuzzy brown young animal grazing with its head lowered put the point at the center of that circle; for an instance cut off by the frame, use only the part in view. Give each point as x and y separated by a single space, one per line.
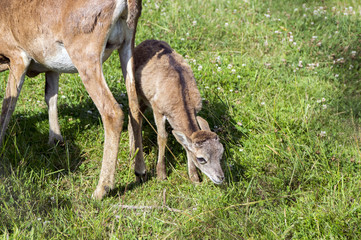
165 82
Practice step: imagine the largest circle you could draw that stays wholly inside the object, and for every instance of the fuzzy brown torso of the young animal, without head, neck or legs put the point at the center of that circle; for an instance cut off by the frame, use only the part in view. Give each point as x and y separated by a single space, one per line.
165 80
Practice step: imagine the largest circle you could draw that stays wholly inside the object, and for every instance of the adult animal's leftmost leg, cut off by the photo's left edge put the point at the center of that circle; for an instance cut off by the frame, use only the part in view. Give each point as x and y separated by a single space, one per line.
18 68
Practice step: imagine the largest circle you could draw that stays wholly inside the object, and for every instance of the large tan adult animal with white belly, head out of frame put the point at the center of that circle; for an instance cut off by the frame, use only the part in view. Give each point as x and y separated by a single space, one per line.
68 36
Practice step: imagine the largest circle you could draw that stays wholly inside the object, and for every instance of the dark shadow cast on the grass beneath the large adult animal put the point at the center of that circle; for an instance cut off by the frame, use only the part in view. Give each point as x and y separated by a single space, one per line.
26 143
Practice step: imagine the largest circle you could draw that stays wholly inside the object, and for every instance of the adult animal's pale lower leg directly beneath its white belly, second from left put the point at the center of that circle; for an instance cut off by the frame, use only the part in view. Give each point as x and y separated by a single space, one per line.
51 99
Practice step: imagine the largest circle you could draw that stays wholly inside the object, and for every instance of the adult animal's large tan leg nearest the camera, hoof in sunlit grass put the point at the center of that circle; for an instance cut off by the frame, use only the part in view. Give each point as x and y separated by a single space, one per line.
87 60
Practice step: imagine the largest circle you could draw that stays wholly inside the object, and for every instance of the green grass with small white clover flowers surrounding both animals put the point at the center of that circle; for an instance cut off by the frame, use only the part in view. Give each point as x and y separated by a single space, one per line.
291 132
